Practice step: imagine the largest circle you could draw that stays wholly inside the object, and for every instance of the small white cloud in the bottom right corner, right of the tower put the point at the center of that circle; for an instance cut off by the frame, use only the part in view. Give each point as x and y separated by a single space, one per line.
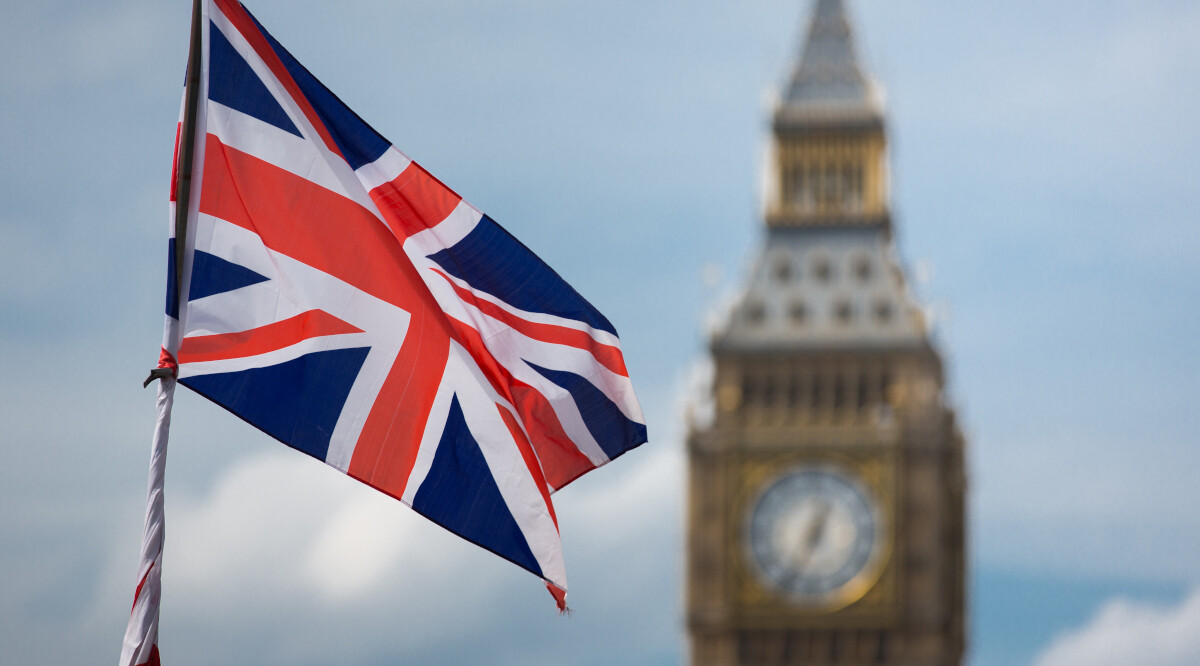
1132 633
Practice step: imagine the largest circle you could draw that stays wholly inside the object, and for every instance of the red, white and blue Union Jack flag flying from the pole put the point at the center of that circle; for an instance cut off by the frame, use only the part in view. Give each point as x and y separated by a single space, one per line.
340 298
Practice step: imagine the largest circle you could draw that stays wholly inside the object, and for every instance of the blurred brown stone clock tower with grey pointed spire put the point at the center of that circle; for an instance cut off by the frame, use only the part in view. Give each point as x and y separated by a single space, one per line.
826 496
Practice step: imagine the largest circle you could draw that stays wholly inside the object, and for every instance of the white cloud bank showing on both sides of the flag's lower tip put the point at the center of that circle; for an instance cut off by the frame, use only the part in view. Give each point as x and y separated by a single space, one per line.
279 521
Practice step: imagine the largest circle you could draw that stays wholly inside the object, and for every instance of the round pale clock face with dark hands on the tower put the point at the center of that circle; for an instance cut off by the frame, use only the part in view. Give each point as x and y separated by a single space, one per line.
817 536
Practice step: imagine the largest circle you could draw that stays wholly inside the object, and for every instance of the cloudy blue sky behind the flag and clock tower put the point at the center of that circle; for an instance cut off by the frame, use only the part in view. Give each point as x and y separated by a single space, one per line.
1046 160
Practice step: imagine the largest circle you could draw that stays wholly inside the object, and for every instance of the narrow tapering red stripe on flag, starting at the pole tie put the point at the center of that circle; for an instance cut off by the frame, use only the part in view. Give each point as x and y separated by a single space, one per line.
315 323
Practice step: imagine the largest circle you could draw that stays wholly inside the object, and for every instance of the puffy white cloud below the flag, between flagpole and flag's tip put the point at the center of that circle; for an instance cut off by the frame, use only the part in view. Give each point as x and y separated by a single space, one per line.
279 526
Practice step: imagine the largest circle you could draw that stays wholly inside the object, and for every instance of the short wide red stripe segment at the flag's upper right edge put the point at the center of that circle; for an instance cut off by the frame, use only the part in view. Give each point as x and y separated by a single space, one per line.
415 201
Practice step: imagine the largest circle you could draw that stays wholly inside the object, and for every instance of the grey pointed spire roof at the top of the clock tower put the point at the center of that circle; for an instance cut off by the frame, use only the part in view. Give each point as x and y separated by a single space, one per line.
829 79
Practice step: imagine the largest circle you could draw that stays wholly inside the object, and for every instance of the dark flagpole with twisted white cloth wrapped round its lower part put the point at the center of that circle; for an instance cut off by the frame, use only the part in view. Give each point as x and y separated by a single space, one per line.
141 645
